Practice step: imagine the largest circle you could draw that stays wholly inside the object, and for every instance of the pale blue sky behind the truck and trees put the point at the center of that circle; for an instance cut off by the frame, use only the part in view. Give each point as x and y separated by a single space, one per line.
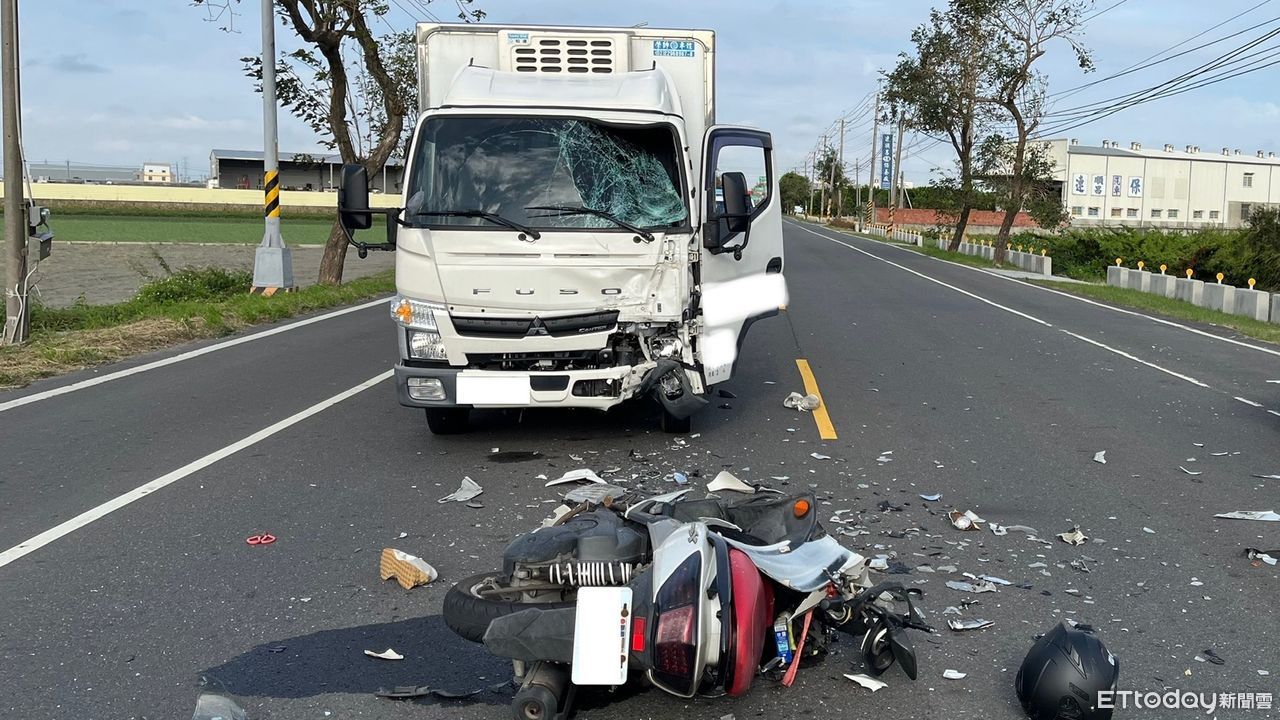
129 81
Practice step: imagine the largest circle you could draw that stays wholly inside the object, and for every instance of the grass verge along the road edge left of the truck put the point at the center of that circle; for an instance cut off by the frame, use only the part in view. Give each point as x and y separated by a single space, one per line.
83 336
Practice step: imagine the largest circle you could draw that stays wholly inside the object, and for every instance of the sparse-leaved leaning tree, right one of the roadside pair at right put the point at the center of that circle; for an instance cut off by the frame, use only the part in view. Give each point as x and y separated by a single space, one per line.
1022 33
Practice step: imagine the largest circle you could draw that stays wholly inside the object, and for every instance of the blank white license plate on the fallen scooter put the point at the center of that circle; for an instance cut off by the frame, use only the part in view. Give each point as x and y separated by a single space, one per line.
602 636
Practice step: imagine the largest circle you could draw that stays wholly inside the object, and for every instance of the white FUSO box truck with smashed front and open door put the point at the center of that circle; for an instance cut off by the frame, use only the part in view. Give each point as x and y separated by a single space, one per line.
577 231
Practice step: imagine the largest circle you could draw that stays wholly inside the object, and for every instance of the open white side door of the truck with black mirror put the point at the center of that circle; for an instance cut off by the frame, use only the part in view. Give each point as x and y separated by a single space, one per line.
742 257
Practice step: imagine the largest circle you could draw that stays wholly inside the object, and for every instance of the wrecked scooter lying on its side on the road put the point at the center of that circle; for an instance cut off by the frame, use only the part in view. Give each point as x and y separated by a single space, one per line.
692 596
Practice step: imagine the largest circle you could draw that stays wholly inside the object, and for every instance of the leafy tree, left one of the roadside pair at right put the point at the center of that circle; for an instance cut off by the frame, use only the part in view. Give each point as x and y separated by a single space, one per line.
938 88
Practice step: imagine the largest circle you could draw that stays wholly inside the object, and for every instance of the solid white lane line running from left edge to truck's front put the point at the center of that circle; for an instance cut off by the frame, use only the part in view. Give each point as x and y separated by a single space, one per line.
141 491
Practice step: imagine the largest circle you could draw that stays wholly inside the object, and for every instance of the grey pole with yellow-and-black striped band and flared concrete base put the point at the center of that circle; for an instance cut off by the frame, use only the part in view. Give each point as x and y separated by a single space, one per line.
273 265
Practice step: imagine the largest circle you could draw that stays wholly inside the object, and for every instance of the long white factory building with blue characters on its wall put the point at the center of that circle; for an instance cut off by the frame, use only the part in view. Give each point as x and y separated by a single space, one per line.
1164 188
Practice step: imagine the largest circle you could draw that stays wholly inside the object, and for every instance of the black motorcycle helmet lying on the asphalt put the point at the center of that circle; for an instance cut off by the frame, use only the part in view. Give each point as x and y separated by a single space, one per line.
1063 675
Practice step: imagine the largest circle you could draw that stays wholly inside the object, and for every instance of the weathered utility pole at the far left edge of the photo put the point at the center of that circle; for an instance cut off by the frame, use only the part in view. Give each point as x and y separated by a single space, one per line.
17 313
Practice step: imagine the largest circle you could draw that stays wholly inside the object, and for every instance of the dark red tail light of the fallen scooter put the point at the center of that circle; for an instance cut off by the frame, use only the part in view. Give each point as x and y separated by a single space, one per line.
675 645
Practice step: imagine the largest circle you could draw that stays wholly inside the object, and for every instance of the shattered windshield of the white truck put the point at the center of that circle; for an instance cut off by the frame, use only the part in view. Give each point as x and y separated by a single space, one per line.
506 166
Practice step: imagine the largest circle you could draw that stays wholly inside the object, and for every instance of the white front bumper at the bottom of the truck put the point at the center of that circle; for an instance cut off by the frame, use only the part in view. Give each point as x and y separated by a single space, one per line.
547 390
